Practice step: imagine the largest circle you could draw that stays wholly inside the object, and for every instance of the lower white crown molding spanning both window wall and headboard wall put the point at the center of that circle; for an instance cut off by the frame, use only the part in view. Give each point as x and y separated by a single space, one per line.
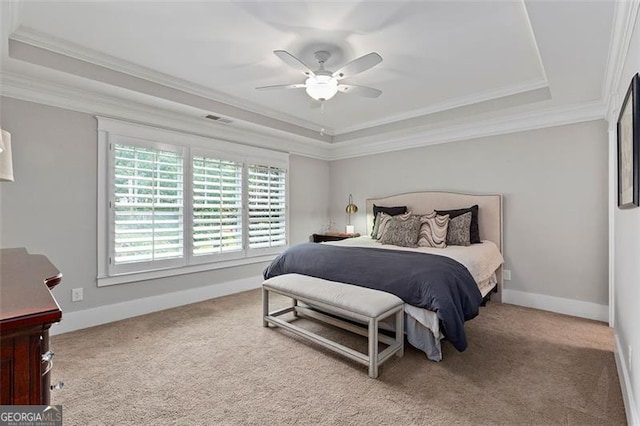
67 97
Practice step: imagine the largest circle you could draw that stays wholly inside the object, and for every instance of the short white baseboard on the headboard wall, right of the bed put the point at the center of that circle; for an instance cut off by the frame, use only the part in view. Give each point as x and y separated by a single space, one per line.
576 308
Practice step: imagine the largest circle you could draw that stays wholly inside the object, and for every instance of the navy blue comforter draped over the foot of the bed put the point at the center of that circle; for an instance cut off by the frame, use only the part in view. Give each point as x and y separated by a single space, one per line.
433 282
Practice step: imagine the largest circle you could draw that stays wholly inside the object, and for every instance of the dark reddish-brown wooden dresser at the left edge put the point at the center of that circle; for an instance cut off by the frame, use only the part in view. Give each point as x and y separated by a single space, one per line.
27 310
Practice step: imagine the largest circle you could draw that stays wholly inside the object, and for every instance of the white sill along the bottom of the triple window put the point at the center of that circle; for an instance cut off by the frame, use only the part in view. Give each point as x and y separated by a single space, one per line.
170 272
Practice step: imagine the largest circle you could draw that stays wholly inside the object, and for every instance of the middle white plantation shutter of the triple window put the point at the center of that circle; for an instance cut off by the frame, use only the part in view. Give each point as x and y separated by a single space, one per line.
217 206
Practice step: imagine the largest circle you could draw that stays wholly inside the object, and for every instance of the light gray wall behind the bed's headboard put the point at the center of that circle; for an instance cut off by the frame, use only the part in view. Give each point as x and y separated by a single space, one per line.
554 183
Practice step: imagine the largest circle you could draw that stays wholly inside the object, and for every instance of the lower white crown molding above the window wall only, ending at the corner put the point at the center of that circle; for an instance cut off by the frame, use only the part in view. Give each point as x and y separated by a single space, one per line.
72 98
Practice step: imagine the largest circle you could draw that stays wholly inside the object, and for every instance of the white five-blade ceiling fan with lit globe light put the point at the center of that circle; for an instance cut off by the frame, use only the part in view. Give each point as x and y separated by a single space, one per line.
323 84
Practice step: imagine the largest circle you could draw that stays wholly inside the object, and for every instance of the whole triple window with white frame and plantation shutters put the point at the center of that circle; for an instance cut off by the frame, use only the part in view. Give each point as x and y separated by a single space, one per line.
170 205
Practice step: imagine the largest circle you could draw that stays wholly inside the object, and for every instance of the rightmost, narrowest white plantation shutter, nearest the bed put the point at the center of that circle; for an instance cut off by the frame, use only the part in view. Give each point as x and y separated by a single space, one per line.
267 206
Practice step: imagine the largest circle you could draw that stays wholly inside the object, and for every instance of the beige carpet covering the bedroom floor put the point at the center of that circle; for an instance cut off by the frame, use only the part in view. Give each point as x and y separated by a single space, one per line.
213 363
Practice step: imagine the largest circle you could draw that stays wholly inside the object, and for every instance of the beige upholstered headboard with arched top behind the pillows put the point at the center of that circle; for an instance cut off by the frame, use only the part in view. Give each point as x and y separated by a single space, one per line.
489 210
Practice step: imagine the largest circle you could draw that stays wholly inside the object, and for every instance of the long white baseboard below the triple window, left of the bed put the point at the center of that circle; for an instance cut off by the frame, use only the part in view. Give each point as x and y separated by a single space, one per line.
104 314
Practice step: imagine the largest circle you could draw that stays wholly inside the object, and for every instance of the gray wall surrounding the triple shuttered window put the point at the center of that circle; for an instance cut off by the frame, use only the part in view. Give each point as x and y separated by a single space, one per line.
51 207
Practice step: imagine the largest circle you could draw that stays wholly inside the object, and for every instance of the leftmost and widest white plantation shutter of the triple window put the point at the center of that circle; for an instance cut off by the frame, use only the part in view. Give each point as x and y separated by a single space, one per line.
147 205
